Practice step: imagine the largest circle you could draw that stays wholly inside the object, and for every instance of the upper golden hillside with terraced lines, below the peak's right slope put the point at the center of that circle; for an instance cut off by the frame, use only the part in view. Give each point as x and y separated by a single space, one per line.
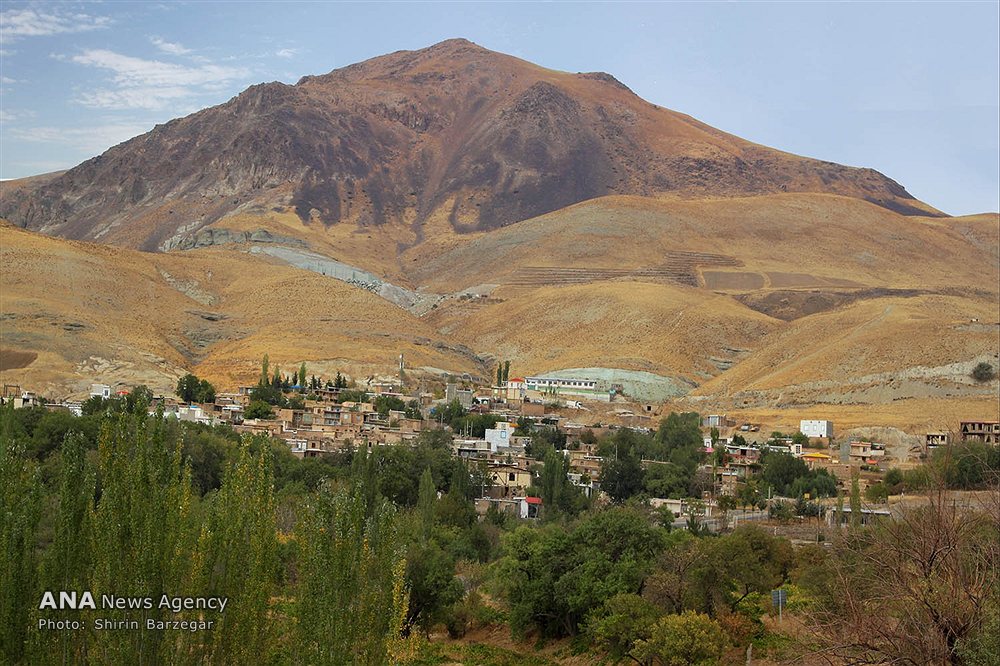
780 241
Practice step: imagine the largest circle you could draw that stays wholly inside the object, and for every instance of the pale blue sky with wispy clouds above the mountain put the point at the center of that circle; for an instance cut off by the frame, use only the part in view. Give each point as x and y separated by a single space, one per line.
910 89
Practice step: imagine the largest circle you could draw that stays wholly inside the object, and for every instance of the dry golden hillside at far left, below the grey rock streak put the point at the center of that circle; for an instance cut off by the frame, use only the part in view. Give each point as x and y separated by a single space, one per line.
76 313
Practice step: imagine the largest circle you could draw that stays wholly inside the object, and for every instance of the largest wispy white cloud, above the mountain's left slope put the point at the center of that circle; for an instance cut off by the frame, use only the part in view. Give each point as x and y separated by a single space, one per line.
151 84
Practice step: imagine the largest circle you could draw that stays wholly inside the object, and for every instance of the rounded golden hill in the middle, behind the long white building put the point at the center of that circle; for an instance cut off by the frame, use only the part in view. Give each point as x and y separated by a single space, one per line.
669 330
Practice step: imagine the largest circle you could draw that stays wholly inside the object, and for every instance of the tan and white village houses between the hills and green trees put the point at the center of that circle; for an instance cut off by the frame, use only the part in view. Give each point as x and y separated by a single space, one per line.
322 424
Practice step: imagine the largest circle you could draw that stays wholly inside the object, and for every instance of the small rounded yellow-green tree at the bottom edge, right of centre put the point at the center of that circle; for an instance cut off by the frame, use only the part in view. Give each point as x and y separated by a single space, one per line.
688 639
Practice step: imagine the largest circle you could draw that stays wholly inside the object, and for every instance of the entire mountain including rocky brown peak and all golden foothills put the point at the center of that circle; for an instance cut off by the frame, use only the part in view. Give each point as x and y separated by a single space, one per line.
462 207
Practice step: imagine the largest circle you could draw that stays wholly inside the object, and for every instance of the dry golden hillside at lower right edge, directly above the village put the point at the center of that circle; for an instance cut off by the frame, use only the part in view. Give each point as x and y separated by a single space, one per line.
873 351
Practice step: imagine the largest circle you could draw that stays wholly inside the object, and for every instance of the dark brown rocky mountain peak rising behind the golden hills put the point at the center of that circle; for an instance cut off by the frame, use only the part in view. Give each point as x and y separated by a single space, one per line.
453 131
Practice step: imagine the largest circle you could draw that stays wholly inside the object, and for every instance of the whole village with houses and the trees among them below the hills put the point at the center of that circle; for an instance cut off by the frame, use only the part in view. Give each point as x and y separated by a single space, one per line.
315 418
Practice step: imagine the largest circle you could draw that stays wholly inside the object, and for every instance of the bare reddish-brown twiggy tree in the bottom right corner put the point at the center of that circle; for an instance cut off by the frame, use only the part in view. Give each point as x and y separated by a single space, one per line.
913 589
